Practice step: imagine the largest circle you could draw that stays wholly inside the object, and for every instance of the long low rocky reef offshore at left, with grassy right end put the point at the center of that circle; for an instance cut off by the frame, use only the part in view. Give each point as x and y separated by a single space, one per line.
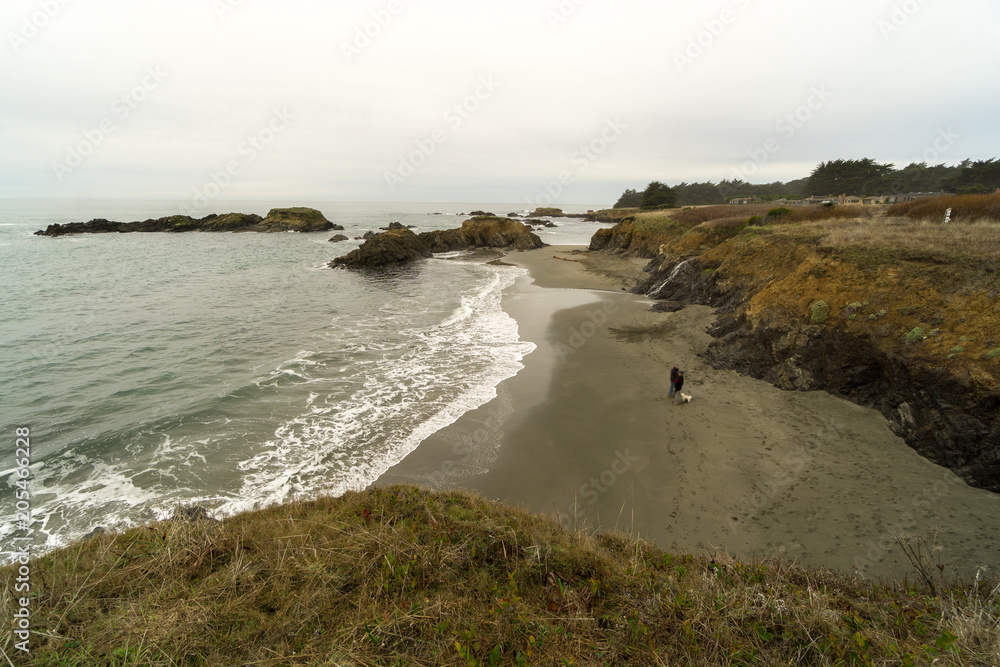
298 219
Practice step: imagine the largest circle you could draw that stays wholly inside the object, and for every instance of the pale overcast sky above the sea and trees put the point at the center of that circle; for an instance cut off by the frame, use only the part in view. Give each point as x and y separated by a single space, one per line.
442 100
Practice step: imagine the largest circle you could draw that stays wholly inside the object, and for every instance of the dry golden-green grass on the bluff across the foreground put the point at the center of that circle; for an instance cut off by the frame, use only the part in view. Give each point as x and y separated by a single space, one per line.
405 577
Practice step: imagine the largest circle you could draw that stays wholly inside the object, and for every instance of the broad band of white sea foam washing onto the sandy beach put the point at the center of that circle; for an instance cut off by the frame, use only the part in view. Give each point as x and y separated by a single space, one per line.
409 393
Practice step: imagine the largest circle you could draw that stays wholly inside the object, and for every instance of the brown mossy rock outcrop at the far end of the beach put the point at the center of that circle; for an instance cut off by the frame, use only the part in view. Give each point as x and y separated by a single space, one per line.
398 245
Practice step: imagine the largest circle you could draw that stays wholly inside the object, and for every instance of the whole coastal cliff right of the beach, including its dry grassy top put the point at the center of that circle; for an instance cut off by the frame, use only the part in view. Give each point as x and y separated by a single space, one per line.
891 313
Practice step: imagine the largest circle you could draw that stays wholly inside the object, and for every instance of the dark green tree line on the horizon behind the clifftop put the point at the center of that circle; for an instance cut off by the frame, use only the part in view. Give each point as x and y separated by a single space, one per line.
863 178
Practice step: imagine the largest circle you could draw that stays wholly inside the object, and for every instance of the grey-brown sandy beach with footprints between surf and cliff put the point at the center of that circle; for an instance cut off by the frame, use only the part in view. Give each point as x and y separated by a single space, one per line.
586 432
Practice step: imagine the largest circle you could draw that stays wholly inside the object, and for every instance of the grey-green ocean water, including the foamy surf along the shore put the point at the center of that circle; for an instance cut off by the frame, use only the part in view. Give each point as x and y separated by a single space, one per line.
232 370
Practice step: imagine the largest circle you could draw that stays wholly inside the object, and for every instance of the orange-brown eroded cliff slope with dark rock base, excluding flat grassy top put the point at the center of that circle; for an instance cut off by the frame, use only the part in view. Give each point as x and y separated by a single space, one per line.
917 342
